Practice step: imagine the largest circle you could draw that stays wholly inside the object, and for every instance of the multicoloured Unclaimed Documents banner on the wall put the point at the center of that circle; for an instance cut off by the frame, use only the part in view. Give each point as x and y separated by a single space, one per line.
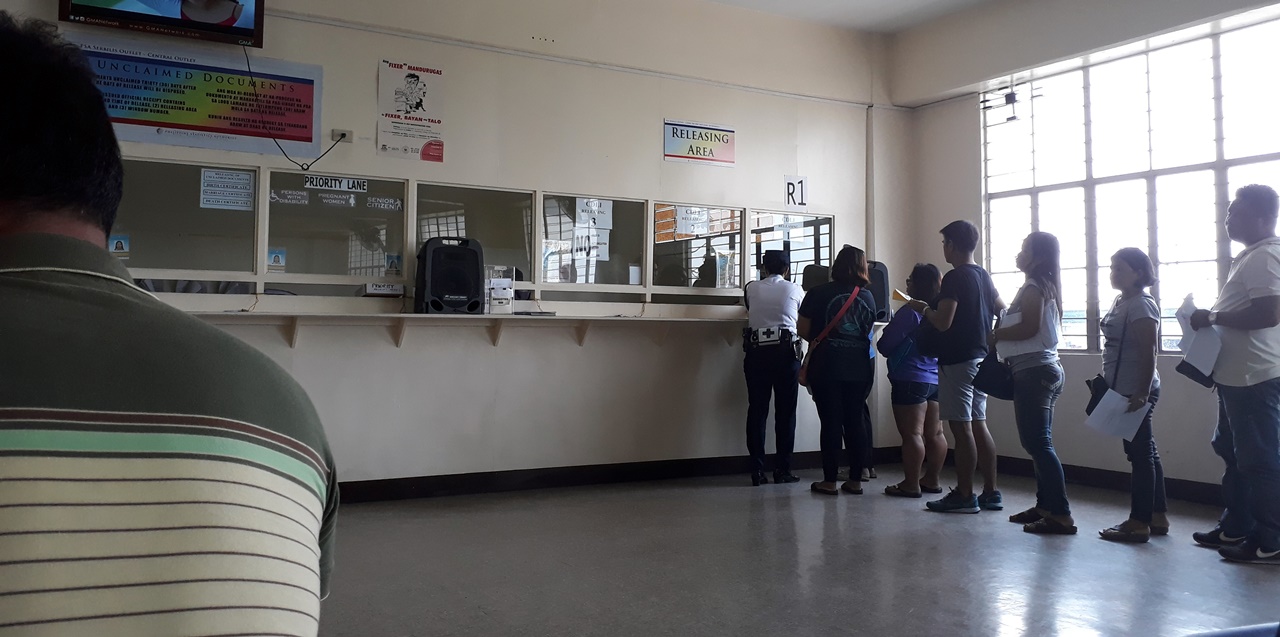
189 97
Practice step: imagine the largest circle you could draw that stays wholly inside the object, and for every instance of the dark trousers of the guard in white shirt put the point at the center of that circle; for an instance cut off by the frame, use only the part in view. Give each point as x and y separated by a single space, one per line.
772 372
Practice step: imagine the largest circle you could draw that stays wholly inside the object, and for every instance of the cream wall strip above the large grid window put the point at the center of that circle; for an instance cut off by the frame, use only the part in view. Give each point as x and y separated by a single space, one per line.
993 40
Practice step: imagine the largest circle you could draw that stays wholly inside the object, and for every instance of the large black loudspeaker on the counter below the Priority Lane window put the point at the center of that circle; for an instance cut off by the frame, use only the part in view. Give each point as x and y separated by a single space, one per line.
450 277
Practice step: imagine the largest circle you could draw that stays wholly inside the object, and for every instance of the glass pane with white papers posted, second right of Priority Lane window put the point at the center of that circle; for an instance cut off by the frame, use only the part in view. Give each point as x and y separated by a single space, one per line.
592 241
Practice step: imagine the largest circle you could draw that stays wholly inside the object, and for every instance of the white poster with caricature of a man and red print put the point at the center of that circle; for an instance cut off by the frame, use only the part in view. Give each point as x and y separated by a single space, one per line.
409 112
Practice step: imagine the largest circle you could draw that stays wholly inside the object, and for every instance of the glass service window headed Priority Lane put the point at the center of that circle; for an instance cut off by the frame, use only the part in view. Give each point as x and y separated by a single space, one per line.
336 226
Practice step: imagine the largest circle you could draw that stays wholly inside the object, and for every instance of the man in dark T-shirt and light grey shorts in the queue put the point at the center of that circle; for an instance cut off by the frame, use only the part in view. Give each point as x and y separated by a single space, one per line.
964 314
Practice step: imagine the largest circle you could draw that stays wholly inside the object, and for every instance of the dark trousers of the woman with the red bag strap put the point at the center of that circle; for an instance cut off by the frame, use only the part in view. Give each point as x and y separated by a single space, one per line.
840 410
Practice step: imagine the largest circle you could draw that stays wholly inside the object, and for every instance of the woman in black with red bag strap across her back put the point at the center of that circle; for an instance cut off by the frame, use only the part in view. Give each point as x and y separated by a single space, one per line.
838 370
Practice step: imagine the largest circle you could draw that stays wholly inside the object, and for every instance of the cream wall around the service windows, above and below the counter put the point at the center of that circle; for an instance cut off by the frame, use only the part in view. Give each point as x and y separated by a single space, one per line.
450 402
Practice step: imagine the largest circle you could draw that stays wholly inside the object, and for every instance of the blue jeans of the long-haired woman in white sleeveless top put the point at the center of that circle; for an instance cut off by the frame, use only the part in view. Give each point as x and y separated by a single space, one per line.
1036 391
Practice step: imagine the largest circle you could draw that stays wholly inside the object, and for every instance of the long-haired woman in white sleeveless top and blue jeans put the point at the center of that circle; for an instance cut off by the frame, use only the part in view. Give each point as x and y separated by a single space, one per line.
1028 342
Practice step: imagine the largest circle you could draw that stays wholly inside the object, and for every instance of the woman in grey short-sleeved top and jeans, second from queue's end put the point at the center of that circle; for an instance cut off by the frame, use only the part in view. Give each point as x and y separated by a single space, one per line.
1132 331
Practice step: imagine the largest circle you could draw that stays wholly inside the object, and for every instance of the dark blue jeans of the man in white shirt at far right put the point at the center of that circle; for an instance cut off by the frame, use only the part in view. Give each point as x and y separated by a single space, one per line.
1249 428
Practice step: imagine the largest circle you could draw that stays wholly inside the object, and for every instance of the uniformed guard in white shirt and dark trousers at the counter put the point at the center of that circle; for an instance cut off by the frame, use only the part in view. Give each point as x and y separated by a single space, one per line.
772 365
